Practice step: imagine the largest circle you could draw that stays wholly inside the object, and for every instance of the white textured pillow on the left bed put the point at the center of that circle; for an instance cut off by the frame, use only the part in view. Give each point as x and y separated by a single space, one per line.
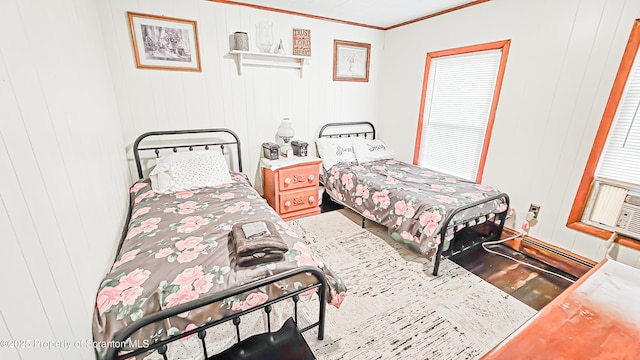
189 170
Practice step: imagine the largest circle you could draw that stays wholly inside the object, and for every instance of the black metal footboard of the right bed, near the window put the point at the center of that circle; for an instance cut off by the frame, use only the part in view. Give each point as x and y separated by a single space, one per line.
498 219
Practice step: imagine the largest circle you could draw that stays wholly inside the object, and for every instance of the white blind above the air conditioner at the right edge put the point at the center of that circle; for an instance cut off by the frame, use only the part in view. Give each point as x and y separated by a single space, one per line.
620 159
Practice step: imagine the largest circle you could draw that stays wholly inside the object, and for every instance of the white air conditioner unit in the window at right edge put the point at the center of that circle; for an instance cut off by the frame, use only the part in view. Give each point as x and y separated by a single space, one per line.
614 207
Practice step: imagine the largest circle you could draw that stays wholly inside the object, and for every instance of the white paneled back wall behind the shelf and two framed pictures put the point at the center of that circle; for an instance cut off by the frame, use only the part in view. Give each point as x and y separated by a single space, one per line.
252 104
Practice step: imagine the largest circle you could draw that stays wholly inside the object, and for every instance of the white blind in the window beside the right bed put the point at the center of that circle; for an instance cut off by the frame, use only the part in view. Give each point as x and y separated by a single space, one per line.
456 112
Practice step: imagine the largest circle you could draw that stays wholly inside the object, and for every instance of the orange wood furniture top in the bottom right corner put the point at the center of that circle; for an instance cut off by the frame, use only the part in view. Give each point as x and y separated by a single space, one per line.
595 318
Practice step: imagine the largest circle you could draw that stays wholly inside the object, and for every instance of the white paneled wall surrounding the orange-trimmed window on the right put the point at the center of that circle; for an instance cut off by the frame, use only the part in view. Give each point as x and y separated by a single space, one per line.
562 62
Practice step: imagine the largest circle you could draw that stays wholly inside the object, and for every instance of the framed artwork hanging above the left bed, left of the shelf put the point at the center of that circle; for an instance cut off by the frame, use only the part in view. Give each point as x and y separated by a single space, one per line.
164 43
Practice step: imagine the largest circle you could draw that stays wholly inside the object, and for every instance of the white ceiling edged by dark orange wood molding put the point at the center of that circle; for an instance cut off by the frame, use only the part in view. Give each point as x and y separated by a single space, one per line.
382 14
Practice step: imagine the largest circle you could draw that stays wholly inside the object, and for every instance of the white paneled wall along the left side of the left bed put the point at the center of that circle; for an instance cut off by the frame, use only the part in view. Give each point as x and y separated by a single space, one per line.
63 183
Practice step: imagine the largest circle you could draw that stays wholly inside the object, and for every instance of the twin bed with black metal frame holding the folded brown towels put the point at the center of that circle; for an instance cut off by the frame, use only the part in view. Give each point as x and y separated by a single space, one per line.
171 278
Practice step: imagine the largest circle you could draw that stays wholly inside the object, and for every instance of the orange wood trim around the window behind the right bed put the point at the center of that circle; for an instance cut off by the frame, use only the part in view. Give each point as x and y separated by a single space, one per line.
504 45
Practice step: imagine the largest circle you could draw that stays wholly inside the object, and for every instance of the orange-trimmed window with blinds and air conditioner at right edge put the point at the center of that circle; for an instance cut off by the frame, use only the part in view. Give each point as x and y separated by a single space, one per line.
608 197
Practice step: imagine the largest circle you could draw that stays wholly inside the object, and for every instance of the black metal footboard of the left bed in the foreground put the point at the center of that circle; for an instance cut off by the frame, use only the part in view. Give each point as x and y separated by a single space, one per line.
161 346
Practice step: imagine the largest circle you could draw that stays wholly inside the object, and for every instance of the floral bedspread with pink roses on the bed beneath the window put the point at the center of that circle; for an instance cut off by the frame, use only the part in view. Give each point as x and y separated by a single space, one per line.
412 201
